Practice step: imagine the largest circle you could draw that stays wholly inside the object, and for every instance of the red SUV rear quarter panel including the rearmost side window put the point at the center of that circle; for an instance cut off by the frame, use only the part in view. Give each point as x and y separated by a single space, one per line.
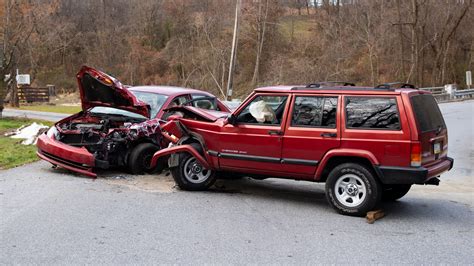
377 124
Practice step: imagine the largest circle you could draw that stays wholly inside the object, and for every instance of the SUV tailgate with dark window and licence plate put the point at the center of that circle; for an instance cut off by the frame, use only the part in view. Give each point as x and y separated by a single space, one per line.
432 132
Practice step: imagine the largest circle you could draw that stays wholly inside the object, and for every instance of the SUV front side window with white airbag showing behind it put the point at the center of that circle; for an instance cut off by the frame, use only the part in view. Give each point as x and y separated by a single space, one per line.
263 110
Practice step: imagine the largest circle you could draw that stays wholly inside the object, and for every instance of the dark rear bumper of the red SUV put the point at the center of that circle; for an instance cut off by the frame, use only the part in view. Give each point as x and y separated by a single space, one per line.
411 175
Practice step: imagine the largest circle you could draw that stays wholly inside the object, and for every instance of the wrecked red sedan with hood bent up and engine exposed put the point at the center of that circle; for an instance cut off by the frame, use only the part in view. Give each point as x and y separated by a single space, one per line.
118 126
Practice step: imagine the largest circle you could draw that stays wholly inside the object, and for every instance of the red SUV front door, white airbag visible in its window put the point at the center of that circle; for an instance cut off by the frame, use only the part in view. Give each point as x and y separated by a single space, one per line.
255 141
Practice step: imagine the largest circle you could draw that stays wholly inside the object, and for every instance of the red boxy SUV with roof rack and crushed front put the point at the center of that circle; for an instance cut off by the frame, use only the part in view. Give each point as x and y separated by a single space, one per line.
366 143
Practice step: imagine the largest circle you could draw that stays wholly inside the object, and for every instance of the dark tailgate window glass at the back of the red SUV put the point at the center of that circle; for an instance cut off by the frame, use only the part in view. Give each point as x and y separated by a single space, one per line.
427 113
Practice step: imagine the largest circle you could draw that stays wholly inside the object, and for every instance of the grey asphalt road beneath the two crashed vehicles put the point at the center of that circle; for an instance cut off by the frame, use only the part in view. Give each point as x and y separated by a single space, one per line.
49 216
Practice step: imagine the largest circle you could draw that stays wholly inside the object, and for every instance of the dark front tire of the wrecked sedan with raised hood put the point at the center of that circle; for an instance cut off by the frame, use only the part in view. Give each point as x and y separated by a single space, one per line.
140 158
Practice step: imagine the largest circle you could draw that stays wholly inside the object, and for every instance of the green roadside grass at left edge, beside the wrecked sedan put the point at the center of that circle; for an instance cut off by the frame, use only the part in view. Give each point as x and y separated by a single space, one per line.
12 152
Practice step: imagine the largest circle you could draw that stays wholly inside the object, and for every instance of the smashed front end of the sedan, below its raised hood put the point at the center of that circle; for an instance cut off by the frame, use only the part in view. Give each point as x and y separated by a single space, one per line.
81 143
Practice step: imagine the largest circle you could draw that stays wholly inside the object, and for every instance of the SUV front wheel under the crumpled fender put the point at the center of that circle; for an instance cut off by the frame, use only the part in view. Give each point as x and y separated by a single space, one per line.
190 175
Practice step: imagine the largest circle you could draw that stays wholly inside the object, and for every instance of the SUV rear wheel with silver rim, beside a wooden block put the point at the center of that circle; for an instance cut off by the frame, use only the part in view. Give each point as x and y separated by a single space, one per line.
352 189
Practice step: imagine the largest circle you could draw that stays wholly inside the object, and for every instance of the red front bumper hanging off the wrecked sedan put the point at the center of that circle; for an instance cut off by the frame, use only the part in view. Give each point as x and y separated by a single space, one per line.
72 158
